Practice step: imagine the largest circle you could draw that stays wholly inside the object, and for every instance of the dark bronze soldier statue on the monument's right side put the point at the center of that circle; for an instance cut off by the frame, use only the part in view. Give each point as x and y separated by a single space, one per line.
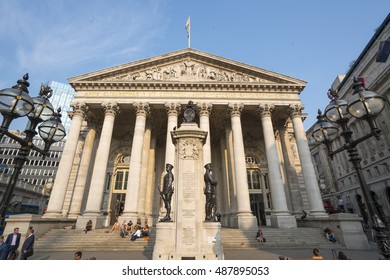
209 191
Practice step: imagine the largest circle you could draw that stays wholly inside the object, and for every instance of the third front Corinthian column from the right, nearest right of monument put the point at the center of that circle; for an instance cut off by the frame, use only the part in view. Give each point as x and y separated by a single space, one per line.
244 215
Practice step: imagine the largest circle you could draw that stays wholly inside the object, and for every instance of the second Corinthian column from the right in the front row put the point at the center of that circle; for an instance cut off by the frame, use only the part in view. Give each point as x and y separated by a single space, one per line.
280 216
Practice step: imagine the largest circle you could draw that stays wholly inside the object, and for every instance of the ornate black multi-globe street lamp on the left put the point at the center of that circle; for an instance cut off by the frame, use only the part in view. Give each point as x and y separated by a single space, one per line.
15 102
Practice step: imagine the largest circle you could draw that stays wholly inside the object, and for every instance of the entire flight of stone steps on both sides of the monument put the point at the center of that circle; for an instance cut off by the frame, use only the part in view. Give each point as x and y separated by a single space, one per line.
103 240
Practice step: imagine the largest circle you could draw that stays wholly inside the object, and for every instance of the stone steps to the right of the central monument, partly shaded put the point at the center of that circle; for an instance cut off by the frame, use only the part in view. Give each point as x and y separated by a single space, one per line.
277 238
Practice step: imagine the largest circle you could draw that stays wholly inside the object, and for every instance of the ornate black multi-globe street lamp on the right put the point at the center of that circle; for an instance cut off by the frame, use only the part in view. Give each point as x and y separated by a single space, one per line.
365 105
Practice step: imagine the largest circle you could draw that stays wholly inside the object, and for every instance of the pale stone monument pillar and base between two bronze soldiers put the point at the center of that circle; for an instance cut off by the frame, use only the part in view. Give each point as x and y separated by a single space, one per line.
188 236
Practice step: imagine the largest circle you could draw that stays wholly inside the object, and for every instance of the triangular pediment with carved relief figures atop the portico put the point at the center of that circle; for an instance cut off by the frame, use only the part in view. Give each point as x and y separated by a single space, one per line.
187 65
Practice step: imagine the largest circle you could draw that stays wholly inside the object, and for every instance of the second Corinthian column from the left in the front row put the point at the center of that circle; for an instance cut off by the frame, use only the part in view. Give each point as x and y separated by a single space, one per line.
95 196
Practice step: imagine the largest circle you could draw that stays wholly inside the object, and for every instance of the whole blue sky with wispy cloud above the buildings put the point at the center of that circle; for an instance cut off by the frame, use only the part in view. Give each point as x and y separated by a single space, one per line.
310 40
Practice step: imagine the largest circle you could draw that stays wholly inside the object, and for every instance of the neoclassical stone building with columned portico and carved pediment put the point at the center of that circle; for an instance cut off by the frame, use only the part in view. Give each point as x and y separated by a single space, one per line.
120 140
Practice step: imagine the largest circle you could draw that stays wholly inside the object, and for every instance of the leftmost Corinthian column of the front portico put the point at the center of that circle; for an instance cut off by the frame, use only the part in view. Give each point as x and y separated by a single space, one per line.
57 196
